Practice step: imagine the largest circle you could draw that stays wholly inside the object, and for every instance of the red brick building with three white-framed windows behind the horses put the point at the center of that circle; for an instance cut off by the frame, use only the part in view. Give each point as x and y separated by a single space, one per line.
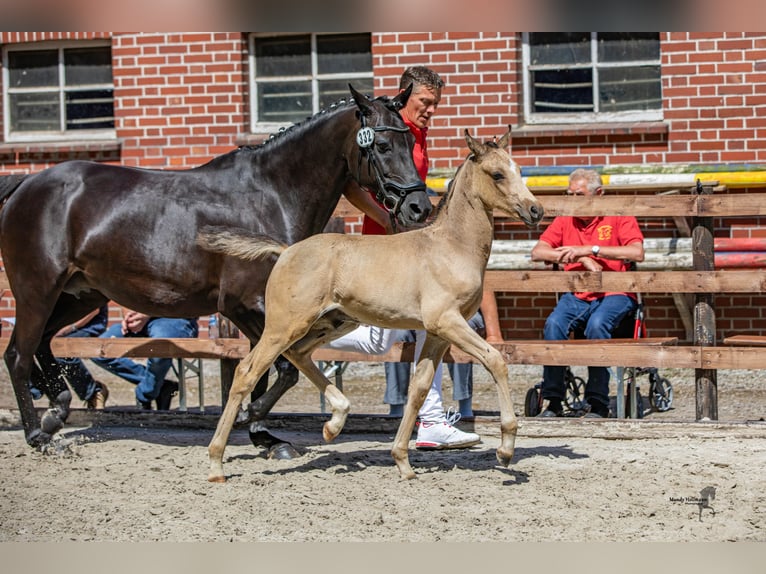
654 106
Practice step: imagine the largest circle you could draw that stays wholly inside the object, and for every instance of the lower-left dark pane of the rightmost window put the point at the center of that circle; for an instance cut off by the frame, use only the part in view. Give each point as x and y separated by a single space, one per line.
558 91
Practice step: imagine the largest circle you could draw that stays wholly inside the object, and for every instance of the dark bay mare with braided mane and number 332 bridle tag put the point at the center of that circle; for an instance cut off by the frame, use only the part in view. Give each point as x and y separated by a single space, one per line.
81 233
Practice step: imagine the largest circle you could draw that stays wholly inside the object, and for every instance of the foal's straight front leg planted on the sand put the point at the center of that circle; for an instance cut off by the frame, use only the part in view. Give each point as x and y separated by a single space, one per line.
433 351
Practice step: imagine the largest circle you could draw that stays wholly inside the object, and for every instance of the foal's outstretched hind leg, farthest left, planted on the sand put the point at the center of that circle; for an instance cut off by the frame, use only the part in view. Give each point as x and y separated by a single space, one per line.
249 370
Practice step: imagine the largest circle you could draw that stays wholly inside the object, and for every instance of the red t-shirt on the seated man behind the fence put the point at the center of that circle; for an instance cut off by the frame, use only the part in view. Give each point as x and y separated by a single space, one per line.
605 230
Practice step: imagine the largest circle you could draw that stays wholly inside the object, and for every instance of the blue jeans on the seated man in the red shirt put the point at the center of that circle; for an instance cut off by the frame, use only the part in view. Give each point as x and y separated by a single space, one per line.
599 318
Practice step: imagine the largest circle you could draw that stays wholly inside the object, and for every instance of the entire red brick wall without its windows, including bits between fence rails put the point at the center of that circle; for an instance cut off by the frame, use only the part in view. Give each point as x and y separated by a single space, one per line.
181 99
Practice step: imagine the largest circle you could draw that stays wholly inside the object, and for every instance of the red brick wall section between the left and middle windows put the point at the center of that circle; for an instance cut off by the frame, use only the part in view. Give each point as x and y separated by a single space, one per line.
179 98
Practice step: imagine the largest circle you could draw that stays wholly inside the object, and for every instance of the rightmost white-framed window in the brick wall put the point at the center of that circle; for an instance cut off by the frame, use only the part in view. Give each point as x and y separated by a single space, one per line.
582 77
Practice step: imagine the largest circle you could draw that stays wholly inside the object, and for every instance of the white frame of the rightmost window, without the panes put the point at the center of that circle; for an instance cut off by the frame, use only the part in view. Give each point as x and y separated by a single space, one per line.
543 118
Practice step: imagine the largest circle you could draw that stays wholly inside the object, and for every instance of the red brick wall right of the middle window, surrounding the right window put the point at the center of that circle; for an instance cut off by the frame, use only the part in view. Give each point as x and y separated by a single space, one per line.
714 91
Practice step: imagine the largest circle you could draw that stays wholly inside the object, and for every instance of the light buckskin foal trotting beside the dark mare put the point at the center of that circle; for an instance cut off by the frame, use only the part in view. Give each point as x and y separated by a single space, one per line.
326 285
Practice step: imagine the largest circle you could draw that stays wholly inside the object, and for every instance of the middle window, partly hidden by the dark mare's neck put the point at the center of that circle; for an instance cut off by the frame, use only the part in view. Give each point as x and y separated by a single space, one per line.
295 76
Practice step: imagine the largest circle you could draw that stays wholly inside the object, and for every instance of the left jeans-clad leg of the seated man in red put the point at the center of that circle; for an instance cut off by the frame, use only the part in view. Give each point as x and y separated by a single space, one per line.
569 313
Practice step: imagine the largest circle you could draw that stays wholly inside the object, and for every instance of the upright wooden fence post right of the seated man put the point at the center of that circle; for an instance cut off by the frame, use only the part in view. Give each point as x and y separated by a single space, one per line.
703 259
